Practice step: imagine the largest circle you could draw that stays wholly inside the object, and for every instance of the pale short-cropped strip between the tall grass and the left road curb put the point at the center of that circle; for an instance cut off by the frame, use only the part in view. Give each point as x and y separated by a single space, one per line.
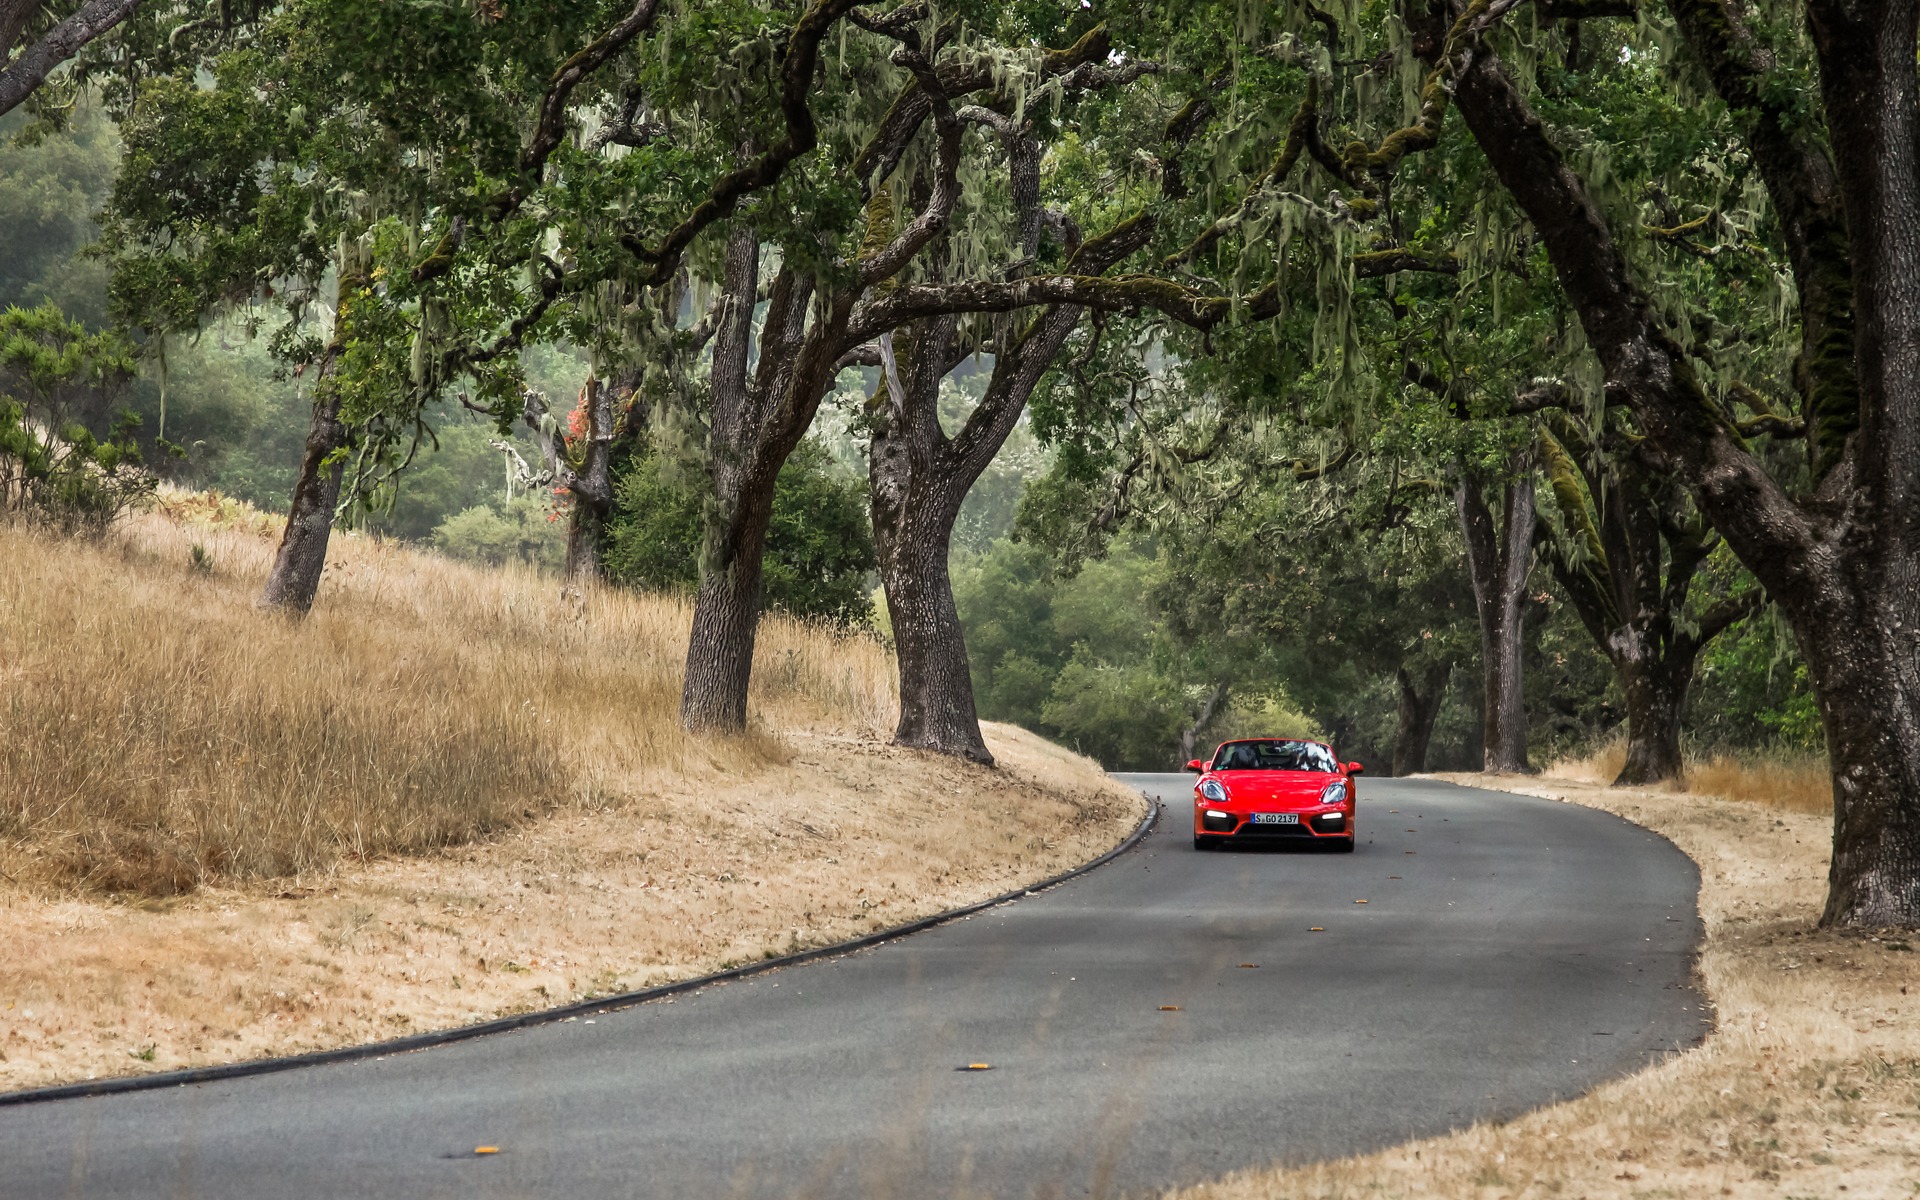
723 867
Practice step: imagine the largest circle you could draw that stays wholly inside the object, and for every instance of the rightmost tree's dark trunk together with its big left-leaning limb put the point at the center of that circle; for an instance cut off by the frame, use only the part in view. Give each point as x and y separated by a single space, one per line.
1842 567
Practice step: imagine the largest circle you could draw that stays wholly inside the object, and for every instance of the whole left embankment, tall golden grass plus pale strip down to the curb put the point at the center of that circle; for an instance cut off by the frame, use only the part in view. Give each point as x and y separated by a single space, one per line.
443 798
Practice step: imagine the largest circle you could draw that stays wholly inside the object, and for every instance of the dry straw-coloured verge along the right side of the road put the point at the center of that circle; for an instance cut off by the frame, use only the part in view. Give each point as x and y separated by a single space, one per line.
1810 1084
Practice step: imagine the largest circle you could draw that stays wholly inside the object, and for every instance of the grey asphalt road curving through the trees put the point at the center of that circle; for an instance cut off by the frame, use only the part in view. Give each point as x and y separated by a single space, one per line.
1512 951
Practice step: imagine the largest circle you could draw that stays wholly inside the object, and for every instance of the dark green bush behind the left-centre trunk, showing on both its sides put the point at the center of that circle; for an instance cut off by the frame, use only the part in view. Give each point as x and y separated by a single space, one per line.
819 548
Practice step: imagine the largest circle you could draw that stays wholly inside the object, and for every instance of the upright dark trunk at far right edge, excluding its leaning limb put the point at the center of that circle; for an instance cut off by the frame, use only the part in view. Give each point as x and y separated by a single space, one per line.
1861 629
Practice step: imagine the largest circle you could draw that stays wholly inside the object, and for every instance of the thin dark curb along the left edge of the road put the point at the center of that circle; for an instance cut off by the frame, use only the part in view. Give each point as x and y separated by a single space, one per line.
546 1017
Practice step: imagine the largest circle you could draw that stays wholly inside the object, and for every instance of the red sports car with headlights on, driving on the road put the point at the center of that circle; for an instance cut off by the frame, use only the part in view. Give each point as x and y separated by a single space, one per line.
1272 788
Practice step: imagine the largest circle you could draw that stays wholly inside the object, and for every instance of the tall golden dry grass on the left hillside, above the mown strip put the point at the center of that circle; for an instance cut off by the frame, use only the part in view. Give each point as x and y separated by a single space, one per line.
160 732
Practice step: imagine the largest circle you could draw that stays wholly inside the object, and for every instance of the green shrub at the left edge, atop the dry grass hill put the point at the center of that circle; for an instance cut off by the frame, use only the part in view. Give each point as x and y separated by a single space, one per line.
62 458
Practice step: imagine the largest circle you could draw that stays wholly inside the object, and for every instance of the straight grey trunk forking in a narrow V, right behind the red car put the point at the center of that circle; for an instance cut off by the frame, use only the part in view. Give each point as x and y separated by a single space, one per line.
1499 562
